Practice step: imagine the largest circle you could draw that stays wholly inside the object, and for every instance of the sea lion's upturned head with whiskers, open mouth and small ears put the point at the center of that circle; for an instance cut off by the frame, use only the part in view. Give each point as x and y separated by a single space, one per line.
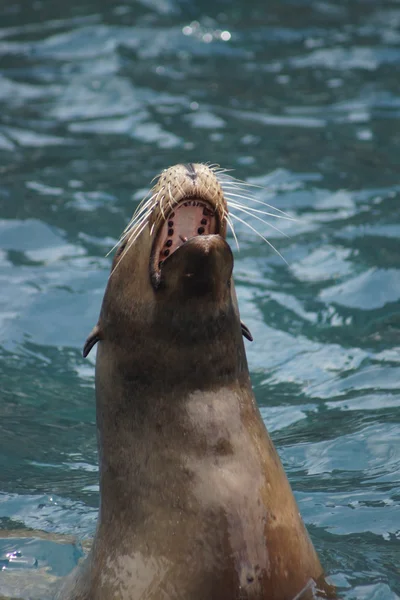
172 272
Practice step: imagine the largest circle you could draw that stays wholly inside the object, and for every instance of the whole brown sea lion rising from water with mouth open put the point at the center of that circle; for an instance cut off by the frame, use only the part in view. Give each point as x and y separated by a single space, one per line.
194 501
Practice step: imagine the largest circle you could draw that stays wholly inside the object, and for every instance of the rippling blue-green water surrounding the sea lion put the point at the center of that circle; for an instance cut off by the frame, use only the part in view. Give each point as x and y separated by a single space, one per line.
301 98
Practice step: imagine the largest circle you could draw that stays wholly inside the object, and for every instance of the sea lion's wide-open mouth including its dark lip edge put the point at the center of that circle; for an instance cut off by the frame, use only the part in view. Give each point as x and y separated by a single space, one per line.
189 218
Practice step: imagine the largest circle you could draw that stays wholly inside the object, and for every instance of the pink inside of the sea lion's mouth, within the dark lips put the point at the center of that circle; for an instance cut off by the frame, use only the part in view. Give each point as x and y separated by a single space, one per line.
189 219
